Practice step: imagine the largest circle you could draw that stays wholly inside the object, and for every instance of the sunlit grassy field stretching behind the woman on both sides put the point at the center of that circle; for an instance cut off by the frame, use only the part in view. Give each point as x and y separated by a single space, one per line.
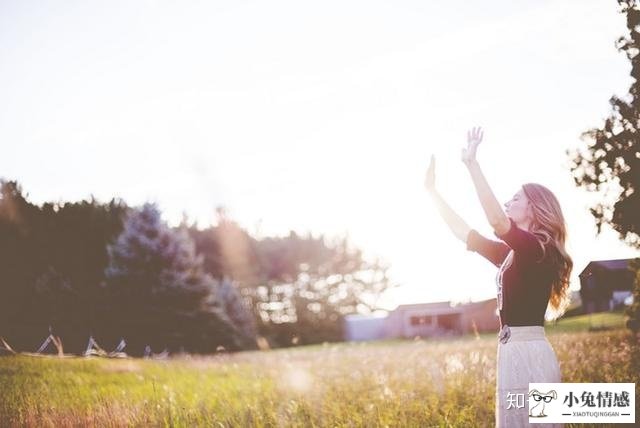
447 382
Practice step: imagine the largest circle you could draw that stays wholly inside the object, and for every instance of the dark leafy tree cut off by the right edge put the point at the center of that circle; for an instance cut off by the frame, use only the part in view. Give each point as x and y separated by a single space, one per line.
610 162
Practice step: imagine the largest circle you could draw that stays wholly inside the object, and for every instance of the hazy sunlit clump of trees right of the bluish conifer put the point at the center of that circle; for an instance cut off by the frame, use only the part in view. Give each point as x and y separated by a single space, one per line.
298 287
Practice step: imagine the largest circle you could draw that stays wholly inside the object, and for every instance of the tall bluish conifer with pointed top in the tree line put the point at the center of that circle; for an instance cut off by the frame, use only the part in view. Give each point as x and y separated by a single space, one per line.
158 291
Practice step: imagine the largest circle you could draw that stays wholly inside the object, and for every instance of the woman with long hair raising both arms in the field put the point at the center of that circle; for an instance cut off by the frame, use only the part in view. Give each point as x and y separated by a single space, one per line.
534 270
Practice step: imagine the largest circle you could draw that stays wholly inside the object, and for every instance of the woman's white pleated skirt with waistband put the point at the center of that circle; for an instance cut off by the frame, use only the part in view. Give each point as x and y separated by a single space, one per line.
527 356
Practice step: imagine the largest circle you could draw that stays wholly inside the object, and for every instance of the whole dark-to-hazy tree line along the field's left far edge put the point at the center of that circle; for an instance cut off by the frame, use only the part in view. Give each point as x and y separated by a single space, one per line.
113 272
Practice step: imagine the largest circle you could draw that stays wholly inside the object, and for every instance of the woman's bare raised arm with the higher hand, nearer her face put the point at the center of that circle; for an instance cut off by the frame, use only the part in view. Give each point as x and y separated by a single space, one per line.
492 209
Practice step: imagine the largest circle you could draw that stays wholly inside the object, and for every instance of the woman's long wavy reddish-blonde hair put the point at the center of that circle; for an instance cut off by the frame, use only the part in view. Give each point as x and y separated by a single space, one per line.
549 225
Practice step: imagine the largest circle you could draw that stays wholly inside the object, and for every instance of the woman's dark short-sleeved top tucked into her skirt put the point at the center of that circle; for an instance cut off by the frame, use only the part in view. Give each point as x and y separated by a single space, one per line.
526 284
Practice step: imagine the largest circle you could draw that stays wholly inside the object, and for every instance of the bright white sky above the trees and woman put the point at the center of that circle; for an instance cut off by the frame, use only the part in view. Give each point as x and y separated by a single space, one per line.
314 117
